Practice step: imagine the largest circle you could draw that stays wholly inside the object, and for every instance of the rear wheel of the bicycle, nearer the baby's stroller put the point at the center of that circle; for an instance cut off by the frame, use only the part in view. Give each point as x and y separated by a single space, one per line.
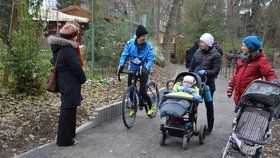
153 93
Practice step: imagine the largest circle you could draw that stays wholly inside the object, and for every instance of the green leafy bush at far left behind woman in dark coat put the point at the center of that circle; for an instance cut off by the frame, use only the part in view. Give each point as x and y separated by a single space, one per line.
23 62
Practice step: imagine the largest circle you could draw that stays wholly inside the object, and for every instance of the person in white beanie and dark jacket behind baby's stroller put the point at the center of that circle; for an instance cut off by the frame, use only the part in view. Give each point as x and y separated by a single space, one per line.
206 61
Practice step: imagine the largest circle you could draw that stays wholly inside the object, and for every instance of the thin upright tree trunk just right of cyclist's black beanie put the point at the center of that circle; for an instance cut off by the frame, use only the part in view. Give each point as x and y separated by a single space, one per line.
156 19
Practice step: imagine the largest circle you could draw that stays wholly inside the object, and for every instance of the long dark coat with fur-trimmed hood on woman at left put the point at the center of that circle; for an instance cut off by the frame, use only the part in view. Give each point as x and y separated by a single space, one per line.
69 70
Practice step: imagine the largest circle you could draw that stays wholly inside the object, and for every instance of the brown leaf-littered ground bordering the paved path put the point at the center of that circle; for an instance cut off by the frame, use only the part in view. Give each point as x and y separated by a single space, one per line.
28 122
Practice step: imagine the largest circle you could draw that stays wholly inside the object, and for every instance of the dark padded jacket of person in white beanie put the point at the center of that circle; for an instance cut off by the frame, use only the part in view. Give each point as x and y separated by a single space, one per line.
210 62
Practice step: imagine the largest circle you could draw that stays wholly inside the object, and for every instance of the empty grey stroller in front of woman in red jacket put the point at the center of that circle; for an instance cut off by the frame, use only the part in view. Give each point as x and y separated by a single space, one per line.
258 106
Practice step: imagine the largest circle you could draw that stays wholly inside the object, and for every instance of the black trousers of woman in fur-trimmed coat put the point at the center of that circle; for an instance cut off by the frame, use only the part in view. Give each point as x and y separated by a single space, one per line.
66 126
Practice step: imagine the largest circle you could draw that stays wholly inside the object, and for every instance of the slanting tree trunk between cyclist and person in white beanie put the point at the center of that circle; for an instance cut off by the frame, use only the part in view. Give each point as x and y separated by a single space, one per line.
167 39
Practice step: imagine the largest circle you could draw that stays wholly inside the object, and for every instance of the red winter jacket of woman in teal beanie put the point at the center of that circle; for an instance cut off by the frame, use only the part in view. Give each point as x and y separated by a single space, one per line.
246 72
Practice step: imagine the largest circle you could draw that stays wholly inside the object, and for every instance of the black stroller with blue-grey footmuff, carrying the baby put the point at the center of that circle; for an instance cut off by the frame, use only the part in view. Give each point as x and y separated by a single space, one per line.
184 124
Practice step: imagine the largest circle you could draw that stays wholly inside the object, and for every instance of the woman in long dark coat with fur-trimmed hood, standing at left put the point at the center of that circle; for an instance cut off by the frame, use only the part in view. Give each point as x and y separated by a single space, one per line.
70 78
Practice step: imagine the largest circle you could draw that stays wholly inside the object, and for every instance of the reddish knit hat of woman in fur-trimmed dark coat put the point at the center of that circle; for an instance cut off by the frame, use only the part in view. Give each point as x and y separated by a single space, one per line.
69 31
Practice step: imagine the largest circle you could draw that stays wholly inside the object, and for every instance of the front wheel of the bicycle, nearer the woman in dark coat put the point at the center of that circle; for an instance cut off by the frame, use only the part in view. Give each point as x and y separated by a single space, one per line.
129 104
